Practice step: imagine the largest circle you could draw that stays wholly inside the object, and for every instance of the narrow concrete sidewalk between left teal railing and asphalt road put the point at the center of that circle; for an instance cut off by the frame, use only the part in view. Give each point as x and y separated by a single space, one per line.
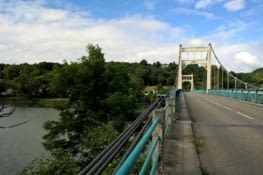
180 156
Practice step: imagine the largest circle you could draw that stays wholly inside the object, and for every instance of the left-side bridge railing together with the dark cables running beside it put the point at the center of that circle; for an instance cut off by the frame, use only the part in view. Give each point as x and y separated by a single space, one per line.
154 122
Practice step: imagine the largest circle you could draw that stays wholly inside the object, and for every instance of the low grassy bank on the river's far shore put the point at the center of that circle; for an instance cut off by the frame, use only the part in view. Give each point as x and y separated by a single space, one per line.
37 102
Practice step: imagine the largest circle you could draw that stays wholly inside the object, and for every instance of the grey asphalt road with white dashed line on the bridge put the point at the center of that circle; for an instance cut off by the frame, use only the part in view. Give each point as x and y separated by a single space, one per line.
232 132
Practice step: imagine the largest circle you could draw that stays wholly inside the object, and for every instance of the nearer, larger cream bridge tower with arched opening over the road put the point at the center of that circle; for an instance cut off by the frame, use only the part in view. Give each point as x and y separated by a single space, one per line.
184 62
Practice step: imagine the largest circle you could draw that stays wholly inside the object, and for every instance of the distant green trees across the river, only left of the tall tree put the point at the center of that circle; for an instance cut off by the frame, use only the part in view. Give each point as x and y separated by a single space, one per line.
28 80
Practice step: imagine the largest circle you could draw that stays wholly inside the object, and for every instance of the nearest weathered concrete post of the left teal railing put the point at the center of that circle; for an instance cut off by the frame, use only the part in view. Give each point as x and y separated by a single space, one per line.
159 131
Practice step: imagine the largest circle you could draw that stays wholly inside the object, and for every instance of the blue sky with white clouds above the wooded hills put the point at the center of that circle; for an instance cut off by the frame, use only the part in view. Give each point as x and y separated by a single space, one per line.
131 30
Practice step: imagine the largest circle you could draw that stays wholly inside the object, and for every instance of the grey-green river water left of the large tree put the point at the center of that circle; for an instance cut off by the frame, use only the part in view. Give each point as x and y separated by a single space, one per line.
21 144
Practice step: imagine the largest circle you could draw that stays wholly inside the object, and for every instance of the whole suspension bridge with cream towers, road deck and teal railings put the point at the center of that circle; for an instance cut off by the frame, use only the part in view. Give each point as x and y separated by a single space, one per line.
215 130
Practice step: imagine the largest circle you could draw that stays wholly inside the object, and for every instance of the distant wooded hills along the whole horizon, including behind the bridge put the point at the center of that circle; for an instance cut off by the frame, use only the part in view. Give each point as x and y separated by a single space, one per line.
41 79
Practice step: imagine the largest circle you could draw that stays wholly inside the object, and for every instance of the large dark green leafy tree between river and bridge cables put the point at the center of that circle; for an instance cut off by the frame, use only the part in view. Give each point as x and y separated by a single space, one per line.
102 97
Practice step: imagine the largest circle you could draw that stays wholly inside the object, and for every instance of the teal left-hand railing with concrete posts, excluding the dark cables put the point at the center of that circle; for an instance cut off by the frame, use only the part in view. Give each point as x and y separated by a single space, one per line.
154 136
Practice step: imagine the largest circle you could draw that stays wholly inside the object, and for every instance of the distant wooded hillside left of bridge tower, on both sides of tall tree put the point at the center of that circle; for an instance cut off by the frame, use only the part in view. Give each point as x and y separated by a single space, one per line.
41 79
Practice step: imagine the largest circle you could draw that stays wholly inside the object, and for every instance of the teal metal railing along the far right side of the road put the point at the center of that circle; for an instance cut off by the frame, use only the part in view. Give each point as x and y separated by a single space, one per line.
254 96
